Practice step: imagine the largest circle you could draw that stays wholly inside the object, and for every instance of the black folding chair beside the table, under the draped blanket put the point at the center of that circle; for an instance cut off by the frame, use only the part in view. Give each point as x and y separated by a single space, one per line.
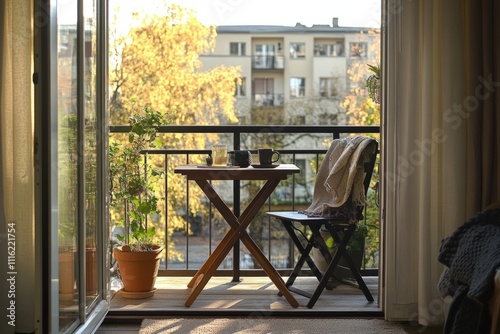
337 223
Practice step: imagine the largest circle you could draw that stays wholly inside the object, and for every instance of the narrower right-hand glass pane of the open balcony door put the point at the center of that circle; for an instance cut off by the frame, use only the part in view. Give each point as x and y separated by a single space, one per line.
90 113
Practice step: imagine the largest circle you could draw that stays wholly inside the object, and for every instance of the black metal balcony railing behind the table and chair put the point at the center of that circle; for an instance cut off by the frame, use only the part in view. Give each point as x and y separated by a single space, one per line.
302 145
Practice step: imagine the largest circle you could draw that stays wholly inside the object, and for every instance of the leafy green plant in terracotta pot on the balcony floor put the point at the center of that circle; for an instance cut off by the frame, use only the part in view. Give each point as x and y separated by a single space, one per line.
132 194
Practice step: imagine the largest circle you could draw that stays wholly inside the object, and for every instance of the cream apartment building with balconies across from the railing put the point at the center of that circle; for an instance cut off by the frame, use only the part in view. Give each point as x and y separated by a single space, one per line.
294 75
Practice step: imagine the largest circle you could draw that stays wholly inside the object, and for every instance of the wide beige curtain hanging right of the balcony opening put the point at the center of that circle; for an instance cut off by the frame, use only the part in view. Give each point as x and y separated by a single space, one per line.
432 150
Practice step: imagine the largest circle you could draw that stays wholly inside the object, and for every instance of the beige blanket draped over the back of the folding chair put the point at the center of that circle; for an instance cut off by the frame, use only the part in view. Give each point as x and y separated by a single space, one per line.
341 175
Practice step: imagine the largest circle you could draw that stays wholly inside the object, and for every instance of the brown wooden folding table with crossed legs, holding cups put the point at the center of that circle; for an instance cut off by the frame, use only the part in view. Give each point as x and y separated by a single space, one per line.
202 175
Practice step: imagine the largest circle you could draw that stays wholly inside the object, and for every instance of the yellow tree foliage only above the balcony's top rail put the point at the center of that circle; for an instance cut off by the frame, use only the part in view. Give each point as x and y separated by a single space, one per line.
158 62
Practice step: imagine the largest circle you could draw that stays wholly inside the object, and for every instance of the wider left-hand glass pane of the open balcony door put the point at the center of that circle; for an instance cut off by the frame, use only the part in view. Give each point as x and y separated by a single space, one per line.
68 165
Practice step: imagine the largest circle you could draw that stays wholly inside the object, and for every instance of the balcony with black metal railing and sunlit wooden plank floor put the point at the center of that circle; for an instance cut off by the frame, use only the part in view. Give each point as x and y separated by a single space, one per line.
191 243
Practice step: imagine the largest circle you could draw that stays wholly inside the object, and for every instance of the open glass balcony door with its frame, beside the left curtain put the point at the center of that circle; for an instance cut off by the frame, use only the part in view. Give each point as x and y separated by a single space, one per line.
72 95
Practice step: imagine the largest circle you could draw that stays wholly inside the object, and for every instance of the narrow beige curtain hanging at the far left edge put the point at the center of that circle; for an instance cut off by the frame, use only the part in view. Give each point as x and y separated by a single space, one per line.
16 161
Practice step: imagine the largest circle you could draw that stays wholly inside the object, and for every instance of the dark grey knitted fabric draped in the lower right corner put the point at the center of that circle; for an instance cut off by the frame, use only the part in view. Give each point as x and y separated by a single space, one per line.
472 256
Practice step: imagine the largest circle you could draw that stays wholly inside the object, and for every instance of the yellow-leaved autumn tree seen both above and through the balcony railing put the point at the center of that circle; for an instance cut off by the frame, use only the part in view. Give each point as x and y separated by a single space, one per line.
157 64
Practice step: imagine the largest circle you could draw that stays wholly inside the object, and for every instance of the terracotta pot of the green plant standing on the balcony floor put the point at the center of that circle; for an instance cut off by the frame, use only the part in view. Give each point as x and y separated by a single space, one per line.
138 271
